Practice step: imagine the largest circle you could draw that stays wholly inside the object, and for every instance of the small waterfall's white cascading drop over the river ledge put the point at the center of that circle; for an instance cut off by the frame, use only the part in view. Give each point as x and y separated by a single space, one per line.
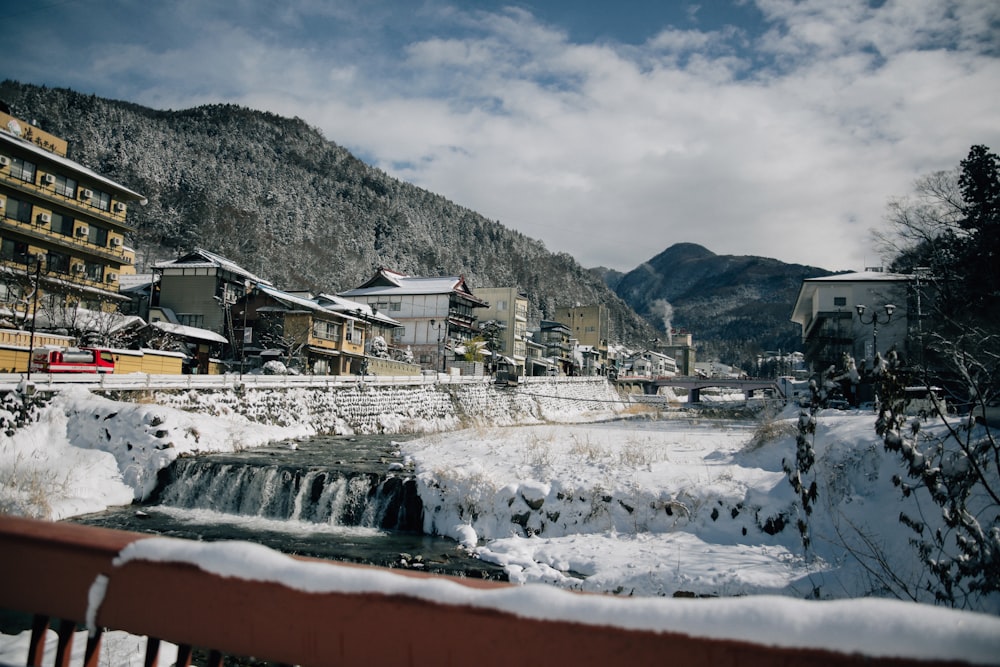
325 496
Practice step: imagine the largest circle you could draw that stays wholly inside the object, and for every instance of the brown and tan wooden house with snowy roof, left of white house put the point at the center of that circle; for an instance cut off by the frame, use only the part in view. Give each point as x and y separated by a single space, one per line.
272 325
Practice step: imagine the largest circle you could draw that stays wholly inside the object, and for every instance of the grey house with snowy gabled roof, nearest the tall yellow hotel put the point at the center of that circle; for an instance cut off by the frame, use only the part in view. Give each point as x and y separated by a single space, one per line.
199 290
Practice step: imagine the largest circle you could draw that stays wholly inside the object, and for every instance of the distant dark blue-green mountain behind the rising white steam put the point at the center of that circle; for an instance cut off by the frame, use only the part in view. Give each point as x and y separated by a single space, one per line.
738 306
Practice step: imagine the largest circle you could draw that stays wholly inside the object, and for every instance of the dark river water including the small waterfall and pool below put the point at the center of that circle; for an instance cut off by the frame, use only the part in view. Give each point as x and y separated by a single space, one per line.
330 497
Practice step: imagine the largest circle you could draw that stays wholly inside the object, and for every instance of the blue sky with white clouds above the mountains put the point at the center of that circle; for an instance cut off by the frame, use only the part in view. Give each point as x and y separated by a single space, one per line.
609 131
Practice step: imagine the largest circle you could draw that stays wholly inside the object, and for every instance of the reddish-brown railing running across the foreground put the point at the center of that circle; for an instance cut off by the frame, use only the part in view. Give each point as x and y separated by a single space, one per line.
50 570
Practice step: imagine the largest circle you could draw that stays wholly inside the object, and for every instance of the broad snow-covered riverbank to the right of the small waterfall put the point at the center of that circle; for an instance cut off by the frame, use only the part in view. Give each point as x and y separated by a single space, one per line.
674 507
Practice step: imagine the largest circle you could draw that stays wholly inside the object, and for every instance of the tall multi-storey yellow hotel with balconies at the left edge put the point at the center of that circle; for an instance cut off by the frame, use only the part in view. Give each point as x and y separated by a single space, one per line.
62 227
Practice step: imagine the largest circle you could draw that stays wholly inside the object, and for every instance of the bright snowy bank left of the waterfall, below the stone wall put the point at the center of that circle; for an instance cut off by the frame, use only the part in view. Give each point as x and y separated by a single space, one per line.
87 453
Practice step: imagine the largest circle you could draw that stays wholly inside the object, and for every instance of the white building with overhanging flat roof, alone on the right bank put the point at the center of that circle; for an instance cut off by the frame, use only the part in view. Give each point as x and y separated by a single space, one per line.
857 314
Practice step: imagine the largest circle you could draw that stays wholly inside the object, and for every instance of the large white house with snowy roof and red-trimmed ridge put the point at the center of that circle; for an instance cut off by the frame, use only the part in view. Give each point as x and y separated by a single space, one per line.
436 314
